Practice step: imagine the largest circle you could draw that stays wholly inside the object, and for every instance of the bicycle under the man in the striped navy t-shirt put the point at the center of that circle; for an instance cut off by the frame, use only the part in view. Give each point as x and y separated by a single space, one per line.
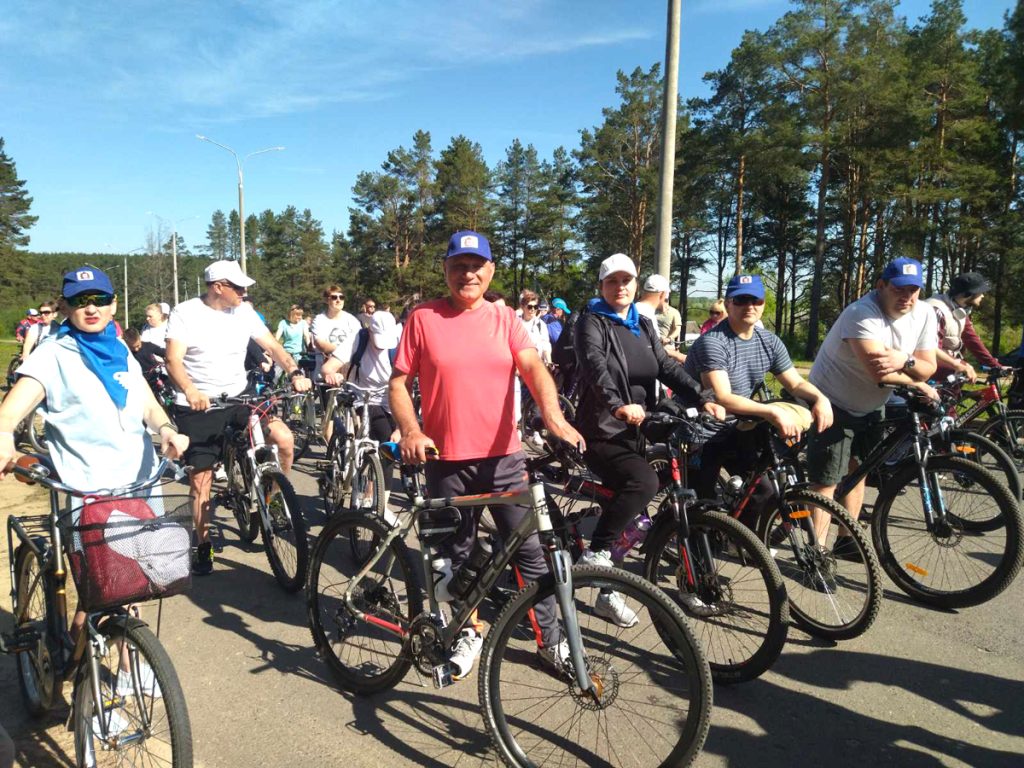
831 598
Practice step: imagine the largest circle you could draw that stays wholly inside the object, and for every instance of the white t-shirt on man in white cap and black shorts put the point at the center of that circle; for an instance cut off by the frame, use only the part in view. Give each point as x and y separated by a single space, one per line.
216 346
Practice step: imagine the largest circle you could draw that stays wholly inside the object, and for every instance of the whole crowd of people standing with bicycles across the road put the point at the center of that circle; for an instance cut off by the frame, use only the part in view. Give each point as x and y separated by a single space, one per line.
470 355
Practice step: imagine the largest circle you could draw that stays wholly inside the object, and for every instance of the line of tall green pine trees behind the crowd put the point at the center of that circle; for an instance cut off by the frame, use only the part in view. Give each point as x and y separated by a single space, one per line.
835 141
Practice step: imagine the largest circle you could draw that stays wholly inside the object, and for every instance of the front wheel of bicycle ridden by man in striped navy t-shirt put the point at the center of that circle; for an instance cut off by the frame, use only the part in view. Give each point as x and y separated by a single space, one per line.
835 599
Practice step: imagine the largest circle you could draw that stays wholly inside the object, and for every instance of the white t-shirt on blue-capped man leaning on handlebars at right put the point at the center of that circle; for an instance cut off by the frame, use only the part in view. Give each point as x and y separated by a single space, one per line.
838 372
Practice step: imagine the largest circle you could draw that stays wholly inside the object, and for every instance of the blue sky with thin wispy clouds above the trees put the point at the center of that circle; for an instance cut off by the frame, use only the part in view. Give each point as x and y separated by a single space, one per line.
102 102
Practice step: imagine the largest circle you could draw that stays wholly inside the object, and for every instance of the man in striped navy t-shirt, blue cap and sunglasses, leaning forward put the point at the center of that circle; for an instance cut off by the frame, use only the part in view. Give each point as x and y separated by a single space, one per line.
733 360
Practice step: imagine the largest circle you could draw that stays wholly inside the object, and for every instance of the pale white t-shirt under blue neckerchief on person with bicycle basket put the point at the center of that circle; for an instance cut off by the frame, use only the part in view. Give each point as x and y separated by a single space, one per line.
94 444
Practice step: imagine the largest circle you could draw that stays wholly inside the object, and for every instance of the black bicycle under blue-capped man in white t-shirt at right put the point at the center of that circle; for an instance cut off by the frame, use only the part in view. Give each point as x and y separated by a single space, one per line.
947 531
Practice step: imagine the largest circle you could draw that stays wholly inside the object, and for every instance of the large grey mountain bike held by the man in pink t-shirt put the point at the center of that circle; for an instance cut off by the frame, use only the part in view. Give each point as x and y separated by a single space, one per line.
369 624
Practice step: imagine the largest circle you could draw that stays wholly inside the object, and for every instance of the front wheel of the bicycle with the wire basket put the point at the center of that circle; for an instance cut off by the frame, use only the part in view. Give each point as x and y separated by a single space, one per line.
142 704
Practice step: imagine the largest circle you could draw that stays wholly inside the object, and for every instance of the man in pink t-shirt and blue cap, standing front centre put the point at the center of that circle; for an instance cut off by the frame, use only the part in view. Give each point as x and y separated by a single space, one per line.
465 353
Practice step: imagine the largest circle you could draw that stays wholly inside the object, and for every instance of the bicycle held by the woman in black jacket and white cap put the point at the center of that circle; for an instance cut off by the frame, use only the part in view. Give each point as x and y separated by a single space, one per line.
724 578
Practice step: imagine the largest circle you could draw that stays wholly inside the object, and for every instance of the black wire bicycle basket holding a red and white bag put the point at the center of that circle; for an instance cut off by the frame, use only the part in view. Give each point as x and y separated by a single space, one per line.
125 550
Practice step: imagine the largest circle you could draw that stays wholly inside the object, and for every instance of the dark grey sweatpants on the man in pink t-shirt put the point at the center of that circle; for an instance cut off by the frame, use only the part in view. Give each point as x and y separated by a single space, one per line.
487 477
